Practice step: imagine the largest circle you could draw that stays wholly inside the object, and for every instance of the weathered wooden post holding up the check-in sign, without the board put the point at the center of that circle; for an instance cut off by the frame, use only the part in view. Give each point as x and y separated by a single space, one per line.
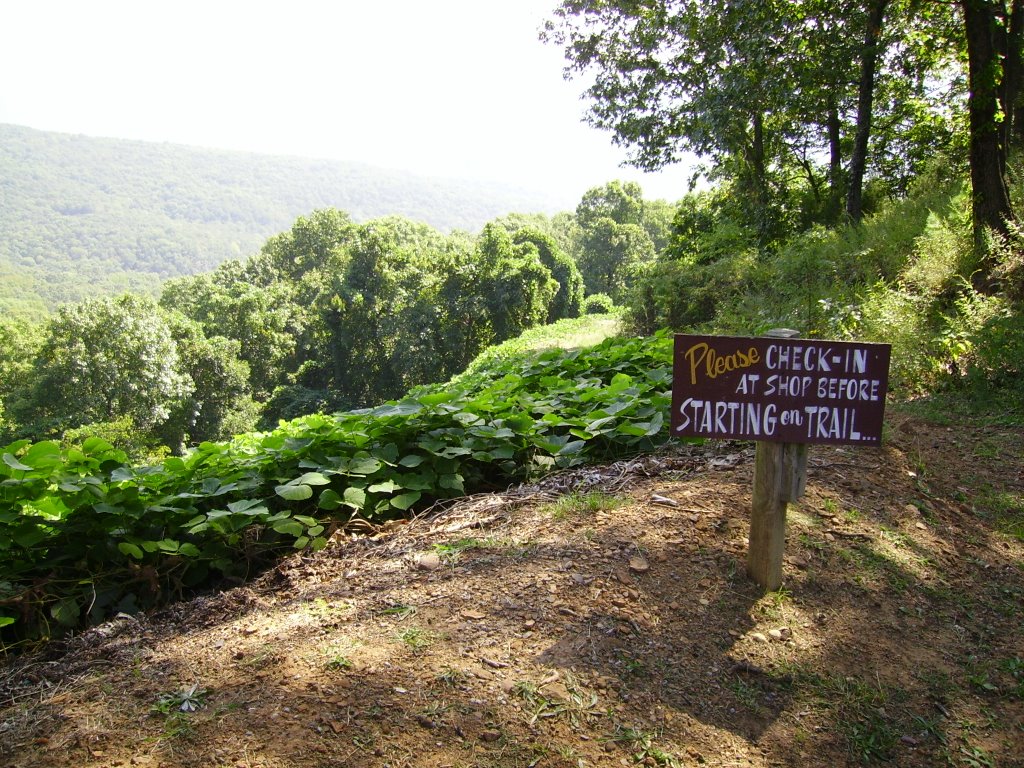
780 478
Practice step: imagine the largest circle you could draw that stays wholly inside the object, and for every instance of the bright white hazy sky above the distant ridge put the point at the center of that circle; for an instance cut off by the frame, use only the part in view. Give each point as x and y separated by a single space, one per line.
442 88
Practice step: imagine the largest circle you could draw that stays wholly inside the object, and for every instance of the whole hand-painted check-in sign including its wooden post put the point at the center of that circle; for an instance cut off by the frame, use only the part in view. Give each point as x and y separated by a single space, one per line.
786 394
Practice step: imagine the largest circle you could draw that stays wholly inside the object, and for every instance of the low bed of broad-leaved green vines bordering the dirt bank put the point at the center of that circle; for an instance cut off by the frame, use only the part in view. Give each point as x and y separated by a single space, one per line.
84 534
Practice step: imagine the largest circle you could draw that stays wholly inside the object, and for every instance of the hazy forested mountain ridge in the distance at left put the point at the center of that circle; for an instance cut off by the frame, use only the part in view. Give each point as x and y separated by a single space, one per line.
82 217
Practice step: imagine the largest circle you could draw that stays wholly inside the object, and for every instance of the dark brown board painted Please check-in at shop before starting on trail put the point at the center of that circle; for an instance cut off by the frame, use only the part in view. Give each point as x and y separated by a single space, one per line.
780 391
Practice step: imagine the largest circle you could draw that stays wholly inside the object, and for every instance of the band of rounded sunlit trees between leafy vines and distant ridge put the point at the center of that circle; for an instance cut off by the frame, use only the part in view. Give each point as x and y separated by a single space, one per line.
331 315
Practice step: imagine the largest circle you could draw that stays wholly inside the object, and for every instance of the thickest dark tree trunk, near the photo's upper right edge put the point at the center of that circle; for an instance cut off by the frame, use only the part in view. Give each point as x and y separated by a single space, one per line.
991 208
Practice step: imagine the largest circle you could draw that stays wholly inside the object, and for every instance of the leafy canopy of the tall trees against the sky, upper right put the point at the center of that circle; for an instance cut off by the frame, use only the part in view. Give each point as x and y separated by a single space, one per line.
777 96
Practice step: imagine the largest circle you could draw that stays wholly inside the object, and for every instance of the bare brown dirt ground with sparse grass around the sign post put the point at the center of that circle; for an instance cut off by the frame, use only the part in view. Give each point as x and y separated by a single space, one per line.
613 630
